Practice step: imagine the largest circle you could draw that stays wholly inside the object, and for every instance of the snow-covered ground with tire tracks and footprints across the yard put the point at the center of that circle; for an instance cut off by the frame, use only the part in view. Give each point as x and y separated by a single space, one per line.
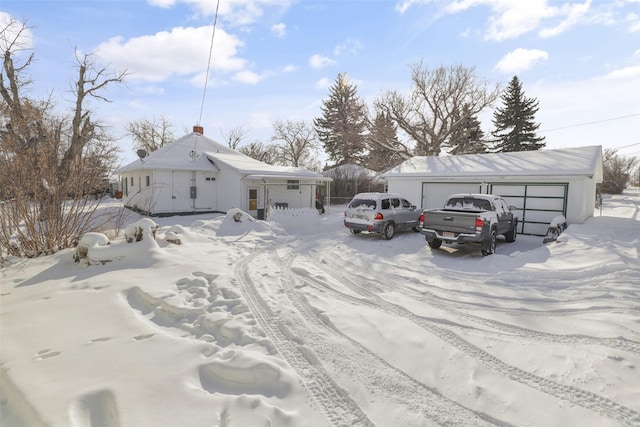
295 322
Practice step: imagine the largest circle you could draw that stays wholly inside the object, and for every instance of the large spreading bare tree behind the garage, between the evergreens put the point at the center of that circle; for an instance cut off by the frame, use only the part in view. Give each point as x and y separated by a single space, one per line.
433 110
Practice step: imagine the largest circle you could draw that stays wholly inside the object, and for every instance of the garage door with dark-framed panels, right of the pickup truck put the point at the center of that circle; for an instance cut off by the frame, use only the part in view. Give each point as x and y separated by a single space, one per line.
536 204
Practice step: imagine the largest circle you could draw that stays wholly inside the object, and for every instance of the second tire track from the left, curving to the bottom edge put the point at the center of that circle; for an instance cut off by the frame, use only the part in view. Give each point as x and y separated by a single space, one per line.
371 370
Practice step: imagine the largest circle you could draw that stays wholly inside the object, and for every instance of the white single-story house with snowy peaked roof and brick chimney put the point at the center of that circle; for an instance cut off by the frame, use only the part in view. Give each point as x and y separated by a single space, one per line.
195 174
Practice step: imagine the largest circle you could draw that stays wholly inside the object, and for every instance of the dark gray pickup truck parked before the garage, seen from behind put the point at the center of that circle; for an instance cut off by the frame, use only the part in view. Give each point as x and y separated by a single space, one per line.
470 218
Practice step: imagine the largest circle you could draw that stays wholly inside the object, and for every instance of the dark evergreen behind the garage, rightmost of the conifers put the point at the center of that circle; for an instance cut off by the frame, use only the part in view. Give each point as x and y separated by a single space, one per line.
515 127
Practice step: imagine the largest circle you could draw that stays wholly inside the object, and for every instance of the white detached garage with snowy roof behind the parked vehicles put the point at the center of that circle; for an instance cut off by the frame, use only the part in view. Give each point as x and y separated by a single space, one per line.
540 184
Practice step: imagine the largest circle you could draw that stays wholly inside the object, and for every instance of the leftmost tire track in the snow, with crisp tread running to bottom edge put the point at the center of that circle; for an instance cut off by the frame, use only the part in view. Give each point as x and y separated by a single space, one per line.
334 402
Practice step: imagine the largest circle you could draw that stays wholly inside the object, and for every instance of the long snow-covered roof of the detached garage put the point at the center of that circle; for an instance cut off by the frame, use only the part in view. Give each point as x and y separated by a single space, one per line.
579 161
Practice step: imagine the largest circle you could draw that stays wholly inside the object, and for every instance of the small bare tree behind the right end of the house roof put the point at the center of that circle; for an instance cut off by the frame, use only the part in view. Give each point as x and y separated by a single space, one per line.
297 143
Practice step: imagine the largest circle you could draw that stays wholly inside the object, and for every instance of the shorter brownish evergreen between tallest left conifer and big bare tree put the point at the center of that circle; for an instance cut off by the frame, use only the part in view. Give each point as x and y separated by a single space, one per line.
385 150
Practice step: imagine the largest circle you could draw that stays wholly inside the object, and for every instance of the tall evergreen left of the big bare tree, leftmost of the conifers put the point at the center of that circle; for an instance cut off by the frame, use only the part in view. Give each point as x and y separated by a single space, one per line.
341 129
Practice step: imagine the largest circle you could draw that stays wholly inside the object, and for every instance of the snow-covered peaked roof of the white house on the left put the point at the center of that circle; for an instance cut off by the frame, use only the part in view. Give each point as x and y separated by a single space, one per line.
197 152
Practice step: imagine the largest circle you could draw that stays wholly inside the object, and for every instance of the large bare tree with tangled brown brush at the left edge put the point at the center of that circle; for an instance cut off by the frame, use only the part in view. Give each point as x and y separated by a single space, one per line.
51 165
